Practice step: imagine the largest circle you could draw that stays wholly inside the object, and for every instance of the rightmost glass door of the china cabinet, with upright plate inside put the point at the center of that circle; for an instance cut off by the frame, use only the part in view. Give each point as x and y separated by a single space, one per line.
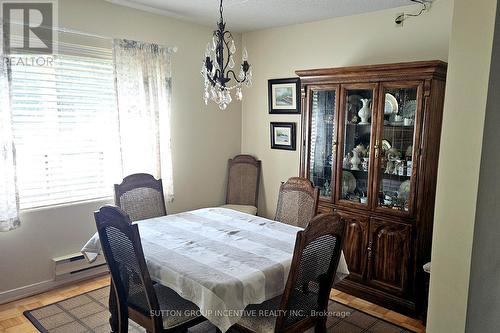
397 140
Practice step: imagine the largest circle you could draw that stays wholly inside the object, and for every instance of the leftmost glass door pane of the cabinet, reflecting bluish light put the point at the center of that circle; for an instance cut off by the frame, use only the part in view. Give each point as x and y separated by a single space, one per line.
323 105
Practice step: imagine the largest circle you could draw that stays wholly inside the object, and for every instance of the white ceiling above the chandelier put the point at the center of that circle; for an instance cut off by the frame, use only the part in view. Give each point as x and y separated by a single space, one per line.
247 15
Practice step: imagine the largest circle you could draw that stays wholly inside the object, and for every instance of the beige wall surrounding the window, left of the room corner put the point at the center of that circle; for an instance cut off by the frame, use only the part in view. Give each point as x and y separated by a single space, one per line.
202 141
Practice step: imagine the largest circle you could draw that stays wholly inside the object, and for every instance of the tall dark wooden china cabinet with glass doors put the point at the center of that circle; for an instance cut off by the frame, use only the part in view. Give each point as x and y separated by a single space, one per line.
370 142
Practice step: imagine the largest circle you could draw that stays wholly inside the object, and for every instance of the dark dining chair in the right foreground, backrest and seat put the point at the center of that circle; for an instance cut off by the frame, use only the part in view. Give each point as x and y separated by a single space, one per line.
304 302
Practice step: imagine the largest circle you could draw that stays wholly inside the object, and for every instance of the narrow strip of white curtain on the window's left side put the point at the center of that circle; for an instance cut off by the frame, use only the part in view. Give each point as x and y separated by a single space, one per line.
9 197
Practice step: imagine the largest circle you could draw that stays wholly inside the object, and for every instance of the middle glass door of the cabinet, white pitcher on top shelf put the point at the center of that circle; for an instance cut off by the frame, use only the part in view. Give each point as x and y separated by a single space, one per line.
354 158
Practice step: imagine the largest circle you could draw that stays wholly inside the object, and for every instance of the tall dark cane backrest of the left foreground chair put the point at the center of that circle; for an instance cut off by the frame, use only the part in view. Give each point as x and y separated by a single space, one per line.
122 248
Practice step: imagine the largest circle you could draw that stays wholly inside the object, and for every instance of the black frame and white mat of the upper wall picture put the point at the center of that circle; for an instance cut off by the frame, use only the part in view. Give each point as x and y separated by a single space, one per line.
294 107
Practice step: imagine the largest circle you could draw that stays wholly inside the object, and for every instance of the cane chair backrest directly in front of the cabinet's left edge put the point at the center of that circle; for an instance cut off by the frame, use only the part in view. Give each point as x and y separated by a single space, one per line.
297 202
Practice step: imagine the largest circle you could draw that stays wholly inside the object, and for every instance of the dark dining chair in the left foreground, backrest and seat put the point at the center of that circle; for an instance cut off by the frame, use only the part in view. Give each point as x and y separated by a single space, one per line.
154 307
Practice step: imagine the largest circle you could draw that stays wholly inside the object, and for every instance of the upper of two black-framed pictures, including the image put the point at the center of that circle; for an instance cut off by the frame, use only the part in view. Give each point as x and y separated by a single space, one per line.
284 96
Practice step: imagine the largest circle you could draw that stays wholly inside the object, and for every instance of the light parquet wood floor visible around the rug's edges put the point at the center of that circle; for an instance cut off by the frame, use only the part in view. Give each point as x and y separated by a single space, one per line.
12 319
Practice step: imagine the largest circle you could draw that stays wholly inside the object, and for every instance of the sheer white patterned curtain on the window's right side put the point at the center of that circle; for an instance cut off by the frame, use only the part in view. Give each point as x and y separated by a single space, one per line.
143 82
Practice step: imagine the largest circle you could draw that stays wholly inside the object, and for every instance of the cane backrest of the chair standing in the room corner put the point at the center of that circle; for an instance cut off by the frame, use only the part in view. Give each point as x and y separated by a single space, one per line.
243 180
